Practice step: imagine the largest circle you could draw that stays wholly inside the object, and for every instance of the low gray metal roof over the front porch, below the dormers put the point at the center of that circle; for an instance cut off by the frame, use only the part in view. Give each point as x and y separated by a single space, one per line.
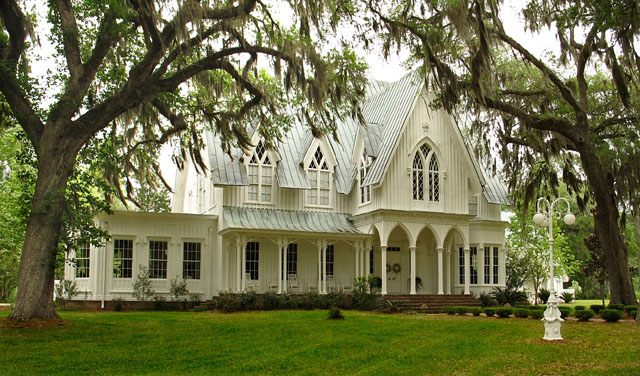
286 220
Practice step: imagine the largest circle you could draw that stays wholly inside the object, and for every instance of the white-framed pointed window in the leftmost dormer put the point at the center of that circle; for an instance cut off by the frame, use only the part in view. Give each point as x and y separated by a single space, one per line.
264 165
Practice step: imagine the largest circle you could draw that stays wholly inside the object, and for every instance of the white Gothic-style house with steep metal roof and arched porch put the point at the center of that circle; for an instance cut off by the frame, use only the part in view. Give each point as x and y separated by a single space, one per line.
402 198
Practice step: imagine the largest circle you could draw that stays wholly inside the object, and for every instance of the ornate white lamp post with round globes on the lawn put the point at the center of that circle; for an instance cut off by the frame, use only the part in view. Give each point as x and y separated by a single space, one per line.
544 217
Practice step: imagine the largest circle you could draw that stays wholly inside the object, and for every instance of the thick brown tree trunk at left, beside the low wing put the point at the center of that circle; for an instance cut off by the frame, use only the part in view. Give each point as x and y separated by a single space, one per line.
36 276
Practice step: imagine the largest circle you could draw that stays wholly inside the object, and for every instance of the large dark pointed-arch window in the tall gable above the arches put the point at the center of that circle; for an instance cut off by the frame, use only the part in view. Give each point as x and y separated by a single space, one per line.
425 175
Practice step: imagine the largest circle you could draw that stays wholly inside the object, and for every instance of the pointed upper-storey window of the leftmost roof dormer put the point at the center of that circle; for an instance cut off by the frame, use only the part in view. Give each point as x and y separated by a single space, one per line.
260 171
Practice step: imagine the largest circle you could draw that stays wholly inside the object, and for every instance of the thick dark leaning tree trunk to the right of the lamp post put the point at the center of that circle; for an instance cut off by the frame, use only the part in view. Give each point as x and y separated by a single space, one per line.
607 229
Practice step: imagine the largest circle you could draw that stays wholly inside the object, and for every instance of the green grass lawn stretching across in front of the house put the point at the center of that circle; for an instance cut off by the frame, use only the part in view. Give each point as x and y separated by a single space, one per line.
305 342
